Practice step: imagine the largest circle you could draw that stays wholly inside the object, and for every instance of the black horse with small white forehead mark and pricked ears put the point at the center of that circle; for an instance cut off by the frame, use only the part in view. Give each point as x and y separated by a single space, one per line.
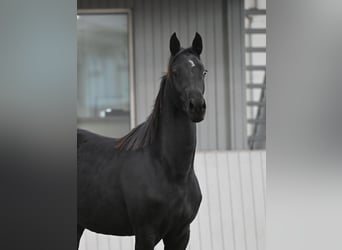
144 184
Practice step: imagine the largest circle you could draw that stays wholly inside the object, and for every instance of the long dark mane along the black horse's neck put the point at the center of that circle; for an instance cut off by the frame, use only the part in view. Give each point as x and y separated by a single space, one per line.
145 133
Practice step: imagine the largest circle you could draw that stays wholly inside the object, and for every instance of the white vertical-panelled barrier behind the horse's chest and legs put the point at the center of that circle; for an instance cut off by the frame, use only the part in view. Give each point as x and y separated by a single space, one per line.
232 213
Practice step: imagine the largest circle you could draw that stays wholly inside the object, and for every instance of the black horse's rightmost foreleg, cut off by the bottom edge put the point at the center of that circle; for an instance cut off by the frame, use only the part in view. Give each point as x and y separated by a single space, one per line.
177 240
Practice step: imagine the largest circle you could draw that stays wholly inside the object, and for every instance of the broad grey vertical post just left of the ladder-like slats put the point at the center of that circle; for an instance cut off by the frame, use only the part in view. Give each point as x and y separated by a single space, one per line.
236 74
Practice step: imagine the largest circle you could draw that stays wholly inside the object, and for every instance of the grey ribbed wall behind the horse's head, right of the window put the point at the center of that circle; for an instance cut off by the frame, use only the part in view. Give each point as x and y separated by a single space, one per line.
153 23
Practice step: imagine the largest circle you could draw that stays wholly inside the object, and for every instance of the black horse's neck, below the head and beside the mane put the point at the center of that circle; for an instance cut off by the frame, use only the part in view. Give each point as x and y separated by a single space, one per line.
178 141
